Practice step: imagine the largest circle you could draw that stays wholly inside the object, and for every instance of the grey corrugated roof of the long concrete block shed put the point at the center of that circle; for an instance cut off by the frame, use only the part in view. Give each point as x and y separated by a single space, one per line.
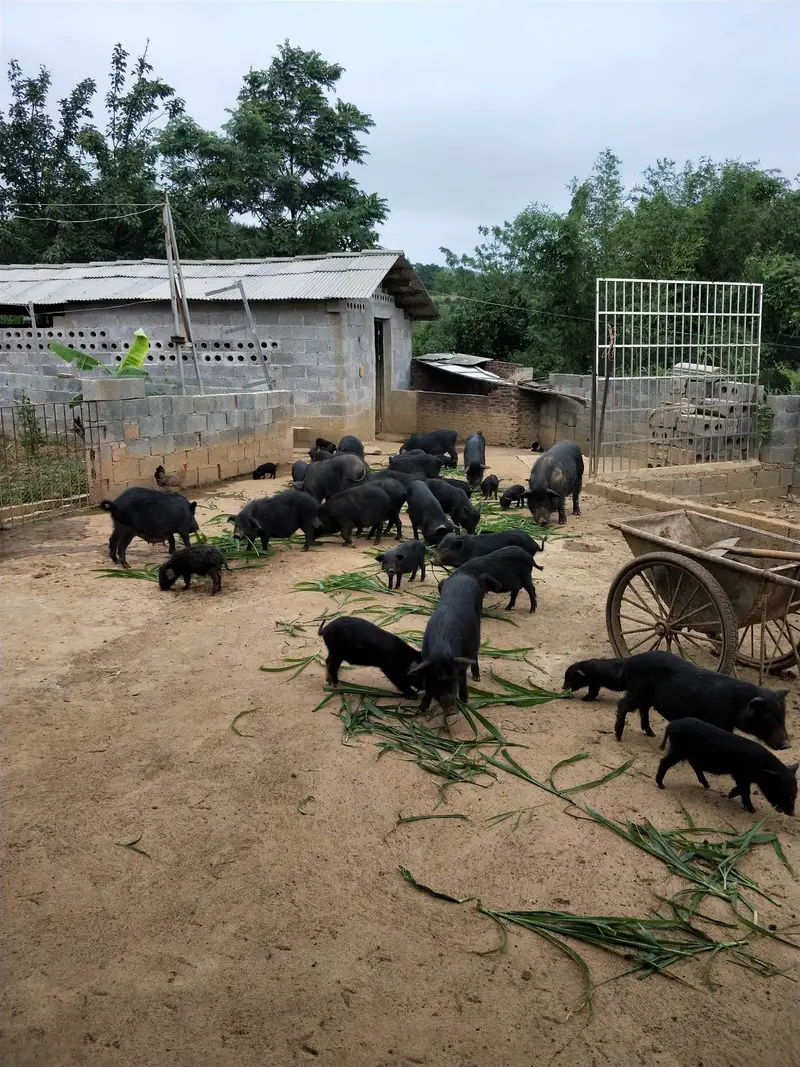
345 276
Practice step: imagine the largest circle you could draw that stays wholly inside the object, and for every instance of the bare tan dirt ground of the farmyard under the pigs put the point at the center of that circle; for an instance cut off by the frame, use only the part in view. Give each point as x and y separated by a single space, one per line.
255 934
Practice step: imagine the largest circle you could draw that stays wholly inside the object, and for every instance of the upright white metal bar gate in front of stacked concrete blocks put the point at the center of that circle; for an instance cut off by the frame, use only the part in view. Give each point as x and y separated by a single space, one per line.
676 376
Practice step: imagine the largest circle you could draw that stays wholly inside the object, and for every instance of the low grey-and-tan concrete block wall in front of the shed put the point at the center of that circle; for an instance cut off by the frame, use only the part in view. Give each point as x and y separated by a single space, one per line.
219 437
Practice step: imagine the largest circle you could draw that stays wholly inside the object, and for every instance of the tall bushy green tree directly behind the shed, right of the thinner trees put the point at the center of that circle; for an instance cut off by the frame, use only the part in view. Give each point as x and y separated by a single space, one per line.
283 160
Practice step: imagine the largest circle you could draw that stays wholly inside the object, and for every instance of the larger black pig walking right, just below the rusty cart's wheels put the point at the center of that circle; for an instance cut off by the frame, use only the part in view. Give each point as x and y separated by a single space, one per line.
678 689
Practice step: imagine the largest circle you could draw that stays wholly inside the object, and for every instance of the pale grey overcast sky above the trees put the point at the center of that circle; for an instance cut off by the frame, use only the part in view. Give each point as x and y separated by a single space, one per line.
481 108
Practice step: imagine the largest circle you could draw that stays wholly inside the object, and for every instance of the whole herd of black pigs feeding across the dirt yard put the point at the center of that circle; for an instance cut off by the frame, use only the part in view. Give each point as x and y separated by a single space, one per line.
337 493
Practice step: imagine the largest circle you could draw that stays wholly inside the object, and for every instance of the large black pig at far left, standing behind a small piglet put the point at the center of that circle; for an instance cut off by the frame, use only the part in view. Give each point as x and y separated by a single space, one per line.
153 516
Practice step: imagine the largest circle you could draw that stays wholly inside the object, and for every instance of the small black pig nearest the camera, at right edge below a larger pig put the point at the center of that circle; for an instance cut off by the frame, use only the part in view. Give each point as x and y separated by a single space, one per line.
708 749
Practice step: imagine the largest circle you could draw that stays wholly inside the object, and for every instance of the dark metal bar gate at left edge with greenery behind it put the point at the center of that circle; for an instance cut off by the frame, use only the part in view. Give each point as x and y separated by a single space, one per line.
50 458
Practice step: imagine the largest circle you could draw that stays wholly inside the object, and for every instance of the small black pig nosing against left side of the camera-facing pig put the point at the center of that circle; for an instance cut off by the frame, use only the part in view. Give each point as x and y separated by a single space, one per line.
357 642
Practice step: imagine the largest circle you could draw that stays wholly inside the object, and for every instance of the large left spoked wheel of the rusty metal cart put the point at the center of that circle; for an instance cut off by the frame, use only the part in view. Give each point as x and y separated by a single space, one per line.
667 602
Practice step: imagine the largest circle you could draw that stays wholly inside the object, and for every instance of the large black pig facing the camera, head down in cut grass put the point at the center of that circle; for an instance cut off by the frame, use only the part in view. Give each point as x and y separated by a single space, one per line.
452 642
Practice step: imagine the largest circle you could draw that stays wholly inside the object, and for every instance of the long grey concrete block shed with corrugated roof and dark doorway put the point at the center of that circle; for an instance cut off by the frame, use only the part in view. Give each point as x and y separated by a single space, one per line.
334 331
